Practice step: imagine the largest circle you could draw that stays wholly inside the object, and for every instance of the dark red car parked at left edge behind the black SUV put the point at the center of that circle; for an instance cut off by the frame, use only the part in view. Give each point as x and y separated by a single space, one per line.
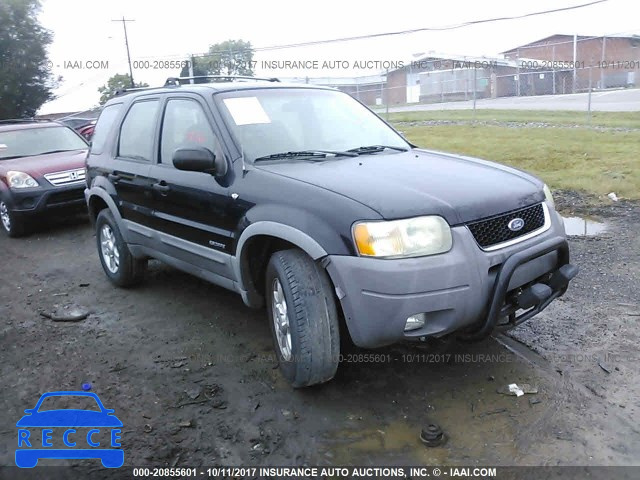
41 172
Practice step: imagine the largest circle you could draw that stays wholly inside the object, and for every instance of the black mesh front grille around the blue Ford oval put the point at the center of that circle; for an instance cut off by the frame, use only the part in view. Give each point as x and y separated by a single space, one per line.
494 230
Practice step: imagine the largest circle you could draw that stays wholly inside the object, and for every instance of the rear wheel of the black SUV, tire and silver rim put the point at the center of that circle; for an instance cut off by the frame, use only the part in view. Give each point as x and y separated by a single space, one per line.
122 268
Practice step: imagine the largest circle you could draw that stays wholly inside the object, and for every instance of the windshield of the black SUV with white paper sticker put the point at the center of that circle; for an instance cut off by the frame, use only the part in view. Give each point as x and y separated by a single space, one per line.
278 120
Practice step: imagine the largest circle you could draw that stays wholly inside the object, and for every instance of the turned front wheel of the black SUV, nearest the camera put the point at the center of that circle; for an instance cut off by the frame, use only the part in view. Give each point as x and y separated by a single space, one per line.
303 318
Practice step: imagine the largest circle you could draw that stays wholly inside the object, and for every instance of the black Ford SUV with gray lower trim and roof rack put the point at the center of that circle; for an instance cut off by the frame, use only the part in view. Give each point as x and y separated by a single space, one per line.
301 198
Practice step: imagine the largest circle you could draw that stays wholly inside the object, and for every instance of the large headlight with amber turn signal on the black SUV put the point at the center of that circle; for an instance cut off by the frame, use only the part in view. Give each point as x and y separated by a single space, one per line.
412 237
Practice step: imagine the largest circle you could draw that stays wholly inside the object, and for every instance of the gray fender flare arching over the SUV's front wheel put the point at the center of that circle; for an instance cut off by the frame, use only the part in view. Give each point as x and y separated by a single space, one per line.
273 229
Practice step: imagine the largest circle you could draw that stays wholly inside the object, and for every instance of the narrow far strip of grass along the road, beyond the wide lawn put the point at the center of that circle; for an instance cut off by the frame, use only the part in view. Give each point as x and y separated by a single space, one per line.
604 119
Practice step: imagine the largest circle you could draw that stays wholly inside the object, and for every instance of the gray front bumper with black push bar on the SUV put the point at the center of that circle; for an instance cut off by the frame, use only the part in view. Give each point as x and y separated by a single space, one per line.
467 290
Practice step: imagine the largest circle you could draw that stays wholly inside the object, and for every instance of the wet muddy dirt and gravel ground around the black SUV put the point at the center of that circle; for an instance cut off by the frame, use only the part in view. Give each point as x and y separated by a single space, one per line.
190 371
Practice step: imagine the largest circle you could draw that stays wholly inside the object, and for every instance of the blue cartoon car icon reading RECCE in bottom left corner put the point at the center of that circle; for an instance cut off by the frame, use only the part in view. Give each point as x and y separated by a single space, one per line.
71 424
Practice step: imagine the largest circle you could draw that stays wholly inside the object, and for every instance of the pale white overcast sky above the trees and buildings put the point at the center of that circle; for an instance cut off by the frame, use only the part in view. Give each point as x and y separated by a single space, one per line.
83 31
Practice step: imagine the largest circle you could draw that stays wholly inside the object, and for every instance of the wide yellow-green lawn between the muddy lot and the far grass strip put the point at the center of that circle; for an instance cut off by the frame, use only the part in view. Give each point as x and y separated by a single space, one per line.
580 159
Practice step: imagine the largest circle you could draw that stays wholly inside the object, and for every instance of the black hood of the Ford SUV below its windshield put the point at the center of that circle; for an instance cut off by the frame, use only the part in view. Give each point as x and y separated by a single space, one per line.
420 182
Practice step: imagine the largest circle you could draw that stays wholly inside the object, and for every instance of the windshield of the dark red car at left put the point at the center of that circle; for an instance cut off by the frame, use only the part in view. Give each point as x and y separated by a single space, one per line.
26 142
